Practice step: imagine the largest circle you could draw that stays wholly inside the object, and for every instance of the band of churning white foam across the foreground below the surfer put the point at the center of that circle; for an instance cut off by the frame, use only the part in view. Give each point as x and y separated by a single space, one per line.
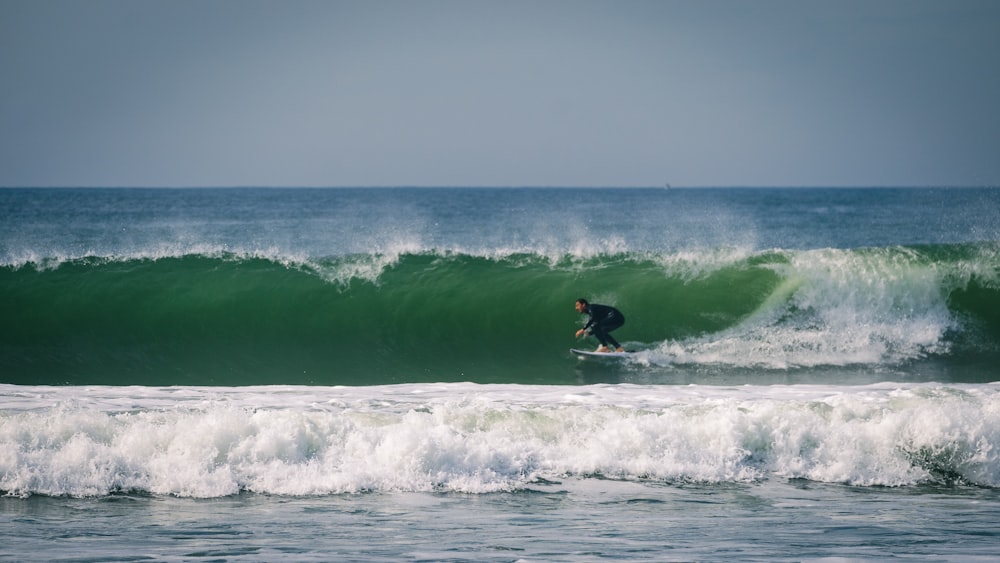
208 442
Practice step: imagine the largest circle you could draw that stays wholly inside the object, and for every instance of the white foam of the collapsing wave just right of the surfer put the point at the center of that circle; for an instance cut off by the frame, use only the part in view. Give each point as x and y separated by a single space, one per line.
835 307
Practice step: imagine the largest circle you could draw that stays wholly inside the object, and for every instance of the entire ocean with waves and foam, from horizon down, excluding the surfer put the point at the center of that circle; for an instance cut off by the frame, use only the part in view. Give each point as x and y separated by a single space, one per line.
384 374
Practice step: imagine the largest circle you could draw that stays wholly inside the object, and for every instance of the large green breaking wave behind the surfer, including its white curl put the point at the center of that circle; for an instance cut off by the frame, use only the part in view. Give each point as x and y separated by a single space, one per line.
222 319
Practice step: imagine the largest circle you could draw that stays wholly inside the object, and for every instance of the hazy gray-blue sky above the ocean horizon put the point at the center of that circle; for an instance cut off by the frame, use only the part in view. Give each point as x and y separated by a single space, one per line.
468 93
